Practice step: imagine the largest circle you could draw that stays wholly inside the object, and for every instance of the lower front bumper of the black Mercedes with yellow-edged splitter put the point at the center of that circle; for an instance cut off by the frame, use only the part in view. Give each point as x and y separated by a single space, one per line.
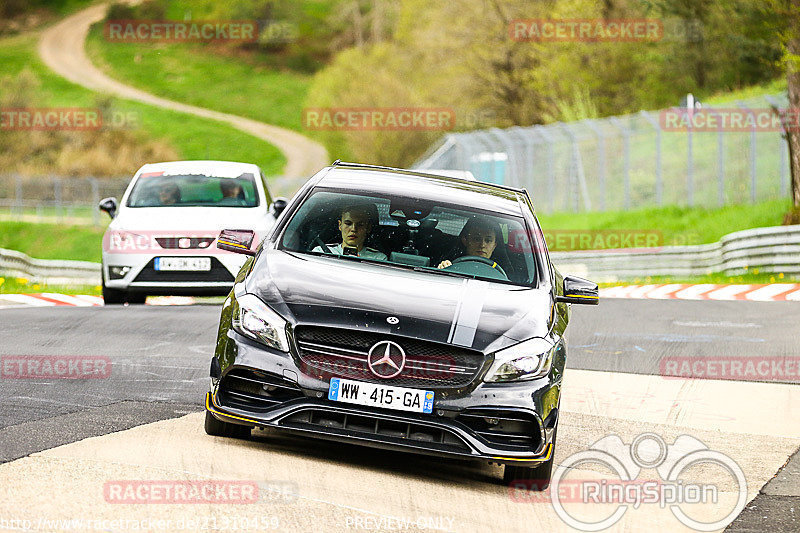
461 434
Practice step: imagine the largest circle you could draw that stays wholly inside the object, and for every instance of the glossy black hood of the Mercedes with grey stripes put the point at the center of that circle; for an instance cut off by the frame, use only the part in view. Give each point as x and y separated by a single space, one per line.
330 291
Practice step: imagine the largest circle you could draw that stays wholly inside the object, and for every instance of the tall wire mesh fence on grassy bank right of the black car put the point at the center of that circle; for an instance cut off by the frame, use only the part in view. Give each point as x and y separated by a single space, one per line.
627 162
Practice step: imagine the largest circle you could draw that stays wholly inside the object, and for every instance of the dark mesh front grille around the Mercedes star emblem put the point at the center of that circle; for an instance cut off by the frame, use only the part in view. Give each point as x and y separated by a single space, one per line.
332 352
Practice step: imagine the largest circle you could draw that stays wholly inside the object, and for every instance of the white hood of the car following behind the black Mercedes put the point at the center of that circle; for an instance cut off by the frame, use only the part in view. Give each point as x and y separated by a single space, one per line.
197 219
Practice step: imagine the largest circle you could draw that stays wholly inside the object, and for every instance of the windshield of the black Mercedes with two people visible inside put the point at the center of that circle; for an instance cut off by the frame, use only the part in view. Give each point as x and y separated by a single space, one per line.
413 233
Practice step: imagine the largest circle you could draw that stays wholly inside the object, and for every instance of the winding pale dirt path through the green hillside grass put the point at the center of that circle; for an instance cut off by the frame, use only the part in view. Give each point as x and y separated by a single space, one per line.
62 49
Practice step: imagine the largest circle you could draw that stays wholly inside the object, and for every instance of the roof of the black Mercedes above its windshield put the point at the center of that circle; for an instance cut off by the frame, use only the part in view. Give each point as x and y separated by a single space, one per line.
387 180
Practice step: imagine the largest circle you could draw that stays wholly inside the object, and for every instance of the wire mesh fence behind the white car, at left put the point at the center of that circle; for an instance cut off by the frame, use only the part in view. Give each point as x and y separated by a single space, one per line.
74 200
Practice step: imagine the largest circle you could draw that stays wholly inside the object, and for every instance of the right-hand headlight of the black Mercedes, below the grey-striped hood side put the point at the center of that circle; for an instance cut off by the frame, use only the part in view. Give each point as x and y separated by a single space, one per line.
527 360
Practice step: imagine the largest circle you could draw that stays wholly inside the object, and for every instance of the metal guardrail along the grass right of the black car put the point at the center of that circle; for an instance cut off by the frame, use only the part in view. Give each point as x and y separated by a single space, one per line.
772 249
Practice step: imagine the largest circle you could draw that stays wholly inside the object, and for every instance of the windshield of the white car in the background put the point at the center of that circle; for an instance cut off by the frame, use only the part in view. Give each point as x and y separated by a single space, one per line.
193 190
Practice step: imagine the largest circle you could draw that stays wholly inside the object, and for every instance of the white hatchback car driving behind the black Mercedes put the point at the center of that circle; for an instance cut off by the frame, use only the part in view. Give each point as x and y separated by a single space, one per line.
162 239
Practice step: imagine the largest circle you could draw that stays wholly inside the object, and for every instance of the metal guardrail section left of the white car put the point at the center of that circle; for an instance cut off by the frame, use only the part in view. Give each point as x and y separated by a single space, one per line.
13 263
